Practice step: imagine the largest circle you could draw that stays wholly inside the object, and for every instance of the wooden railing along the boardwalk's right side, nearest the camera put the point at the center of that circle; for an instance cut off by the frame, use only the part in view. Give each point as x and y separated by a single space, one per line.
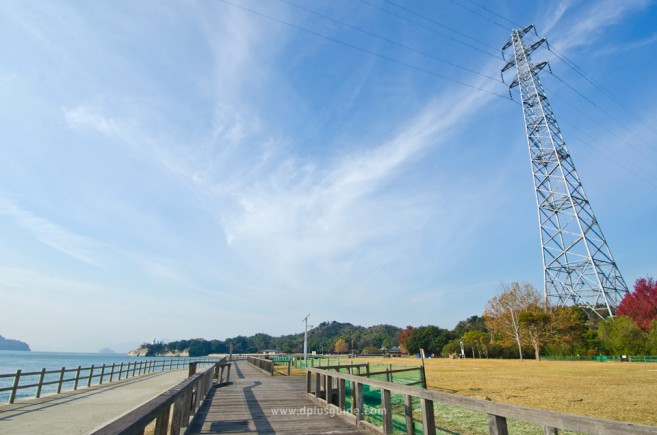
330 388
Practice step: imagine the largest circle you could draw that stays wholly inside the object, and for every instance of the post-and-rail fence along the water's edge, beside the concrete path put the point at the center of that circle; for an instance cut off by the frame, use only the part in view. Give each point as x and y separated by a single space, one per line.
74 378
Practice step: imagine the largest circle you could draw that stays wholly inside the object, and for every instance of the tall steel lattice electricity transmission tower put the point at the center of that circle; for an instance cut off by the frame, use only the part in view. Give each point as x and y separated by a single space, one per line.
578 266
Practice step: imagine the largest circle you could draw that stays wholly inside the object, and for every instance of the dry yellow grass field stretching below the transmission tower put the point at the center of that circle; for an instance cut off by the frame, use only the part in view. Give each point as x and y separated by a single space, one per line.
611 390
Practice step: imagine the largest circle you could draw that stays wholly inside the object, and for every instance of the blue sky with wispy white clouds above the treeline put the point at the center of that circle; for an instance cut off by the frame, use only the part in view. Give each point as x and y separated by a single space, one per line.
207 169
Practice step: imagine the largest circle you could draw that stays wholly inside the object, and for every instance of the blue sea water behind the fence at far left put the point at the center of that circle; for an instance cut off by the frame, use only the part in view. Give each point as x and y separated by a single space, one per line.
10 361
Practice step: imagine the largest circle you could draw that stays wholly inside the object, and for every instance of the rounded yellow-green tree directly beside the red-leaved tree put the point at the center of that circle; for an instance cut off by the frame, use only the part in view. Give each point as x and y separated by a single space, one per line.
620 336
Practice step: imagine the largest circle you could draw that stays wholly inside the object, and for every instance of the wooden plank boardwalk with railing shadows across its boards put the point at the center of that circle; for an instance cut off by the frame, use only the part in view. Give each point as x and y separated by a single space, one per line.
259 403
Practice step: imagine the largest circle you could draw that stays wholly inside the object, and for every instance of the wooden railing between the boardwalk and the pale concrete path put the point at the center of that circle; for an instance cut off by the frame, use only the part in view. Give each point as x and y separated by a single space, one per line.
172 410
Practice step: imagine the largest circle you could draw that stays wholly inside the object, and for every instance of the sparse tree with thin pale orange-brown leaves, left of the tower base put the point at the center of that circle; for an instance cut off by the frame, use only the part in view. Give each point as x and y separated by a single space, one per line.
502 314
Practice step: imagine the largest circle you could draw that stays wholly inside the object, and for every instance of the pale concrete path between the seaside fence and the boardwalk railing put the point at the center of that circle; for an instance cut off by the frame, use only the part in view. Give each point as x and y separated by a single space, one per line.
81 411
